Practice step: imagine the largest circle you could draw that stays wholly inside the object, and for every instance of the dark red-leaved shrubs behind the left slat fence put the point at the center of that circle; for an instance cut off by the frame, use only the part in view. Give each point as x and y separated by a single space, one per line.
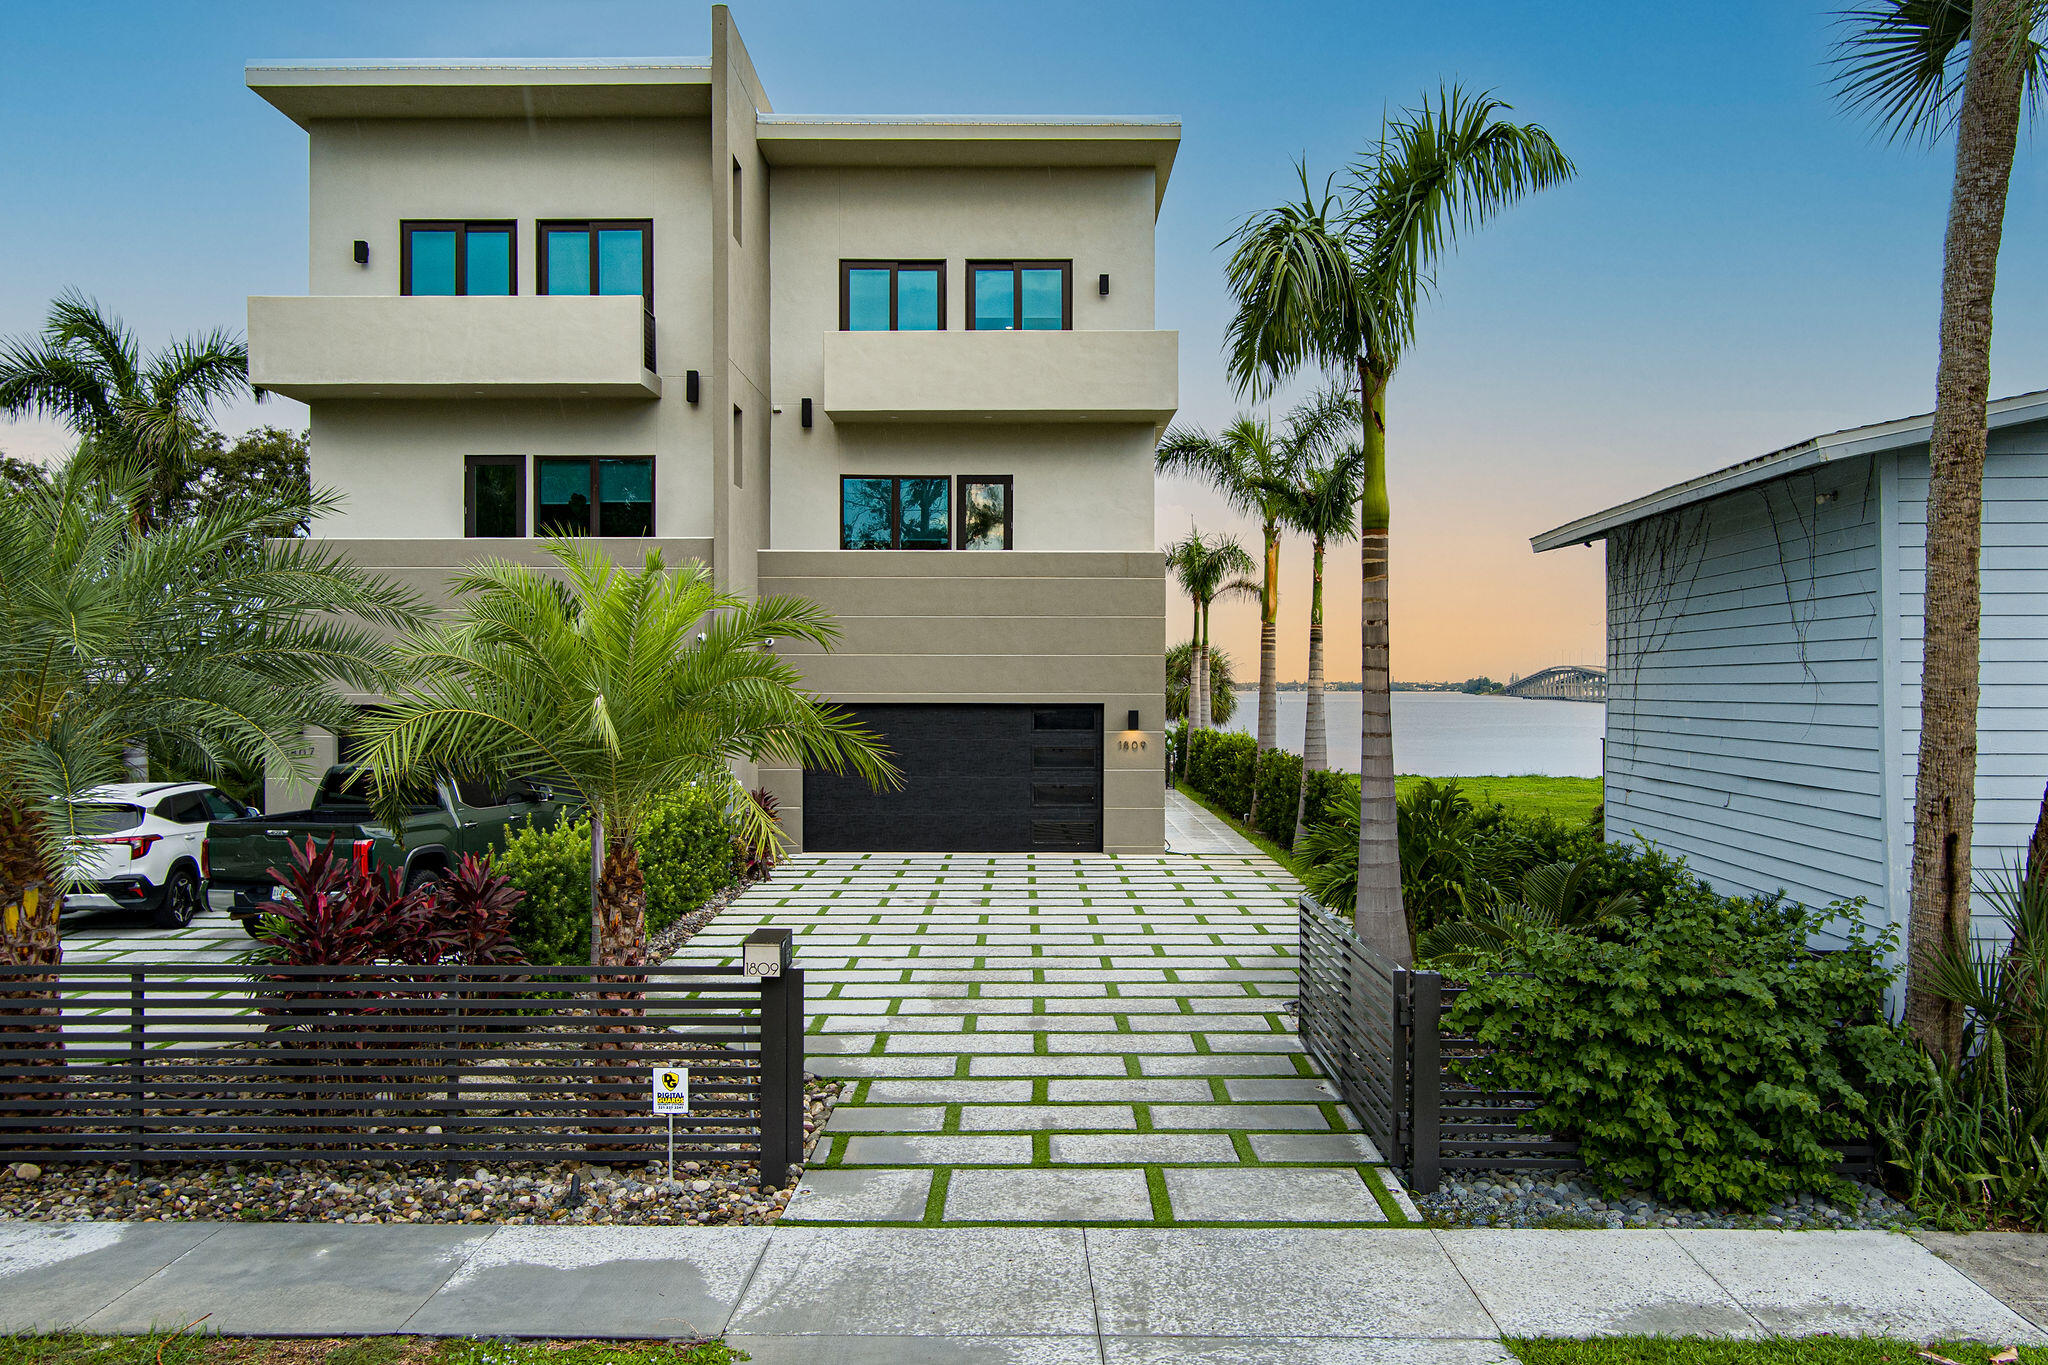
333 914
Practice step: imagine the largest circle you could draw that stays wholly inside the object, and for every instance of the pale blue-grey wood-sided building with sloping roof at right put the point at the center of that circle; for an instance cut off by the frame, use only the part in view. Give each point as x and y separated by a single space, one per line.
1764 642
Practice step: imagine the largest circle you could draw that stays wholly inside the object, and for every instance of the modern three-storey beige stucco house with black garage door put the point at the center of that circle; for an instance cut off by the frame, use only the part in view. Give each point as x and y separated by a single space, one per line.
902 367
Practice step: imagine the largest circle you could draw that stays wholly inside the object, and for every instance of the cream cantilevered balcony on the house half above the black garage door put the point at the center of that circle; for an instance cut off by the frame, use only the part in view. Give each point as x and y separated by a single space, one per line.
1002 376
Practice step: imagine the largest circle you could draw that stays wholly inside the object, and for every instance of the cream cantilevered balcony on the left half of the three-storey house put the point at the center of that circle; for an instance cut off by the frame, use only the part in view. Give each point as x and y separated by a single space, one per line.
447 349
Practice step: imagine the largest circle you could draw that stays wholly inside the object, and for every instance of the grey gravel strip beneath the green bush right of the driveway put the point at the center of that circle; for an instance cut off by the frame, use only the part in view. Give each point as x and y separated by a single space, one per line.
1508 1200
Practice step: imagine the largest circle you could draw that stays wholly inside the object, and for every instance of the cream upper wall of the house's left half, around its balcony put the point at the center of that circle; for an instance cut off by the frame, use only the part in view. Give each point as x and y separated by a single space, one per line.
400 464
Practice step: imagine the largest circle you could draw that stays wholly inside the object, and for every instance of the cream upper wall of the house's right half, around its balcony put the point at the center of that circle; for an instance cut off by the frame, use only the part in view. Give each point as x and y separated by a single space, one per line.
1080 486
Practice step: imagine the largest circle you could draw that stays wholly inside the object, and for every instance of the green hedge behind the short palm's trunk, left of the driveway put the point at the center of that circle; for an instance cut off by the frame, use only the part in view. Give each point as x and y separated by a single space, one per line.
687 850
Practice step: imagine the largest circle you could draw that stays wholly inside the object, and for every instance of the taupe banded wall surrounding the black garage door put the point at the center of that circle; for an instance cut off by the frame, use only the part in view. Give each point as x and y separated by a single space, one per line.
1021 627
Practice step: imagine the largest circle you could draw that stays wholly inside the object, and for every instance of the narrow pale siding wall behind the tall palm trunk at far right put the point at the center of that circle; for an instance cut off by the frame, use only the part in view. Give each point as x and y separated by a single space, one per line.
2012 719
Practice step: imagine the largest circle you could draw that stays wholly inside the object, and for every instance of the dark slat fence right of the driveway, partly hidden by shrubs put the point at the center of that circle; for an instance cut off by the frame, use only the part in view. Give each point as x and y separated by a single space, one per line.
1379 1034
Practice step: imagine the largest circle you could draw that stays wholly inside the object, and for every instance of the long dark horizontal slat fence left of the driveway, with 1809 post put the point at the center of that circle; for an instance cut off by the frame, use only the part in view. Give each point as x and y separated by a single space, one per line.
452 1063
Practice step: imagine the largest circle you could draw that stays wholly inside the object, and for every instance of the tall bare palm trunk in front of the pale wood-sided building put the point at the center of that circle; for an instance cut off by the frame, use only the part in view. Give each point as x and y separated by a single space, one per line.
1945 797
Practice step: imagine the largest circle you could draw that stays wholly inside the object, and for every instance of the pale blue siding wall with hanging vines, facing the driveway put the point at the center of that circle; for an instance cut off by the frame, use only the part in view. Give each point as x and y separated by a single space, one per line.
1746 689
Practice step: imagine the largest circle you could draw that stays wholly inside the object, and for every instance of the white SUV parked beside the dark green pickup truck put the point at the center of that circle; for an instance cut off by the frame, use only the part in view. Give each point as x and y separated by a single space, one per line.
148 846
